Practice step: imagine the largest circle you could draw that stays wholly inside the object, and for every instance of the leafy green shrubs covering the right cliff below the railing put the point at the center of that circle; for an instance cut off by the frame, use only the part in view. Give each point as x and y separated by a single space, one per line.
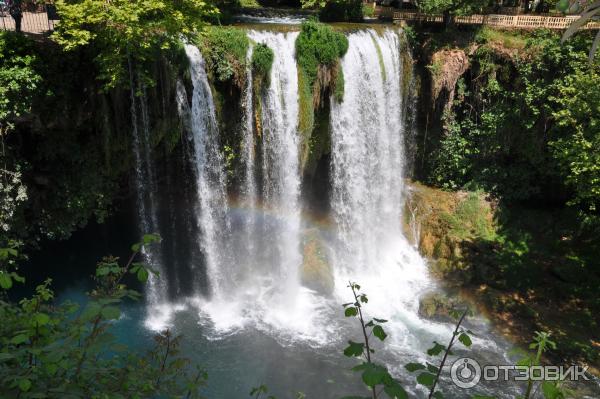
516 129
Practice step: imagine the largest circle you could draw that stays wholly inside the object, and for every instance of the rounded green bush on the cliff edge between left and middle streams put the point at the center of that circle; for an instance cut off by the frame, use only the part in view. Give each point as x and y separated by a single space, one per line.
225 52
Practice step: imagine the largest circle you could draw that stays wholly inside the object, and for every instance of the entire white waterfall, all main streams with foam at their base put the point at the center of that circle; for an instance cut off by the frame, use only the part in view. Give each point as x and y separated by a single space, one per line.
253 248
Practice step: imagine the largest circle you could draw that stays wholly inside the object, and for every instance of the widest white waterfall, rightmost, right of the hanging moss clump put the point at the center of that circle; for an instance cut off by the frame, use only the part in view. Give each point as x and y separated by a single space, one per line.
367 134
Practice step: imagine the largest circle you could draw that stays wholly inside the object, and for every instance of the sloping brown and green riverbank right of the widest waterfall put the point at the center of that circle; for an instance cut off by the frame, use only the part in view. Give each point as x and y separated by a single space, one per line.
514 264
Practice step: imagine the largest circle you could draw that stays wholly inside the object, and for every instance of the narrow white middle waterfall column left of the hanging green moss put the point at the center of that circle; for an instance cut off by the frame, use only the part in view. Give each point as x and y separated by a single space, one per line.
280 160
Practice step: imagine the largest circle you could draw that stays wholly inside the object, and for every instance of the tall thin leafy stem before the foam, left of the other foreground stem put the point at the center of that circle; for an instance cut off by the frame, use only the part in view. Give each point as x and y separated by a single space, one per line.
375 376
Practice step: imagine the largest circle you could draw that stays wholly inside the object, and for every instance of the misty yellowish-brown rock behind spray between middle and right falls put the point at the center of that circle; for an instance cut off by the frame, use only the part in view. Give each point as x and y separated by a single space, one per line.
316 272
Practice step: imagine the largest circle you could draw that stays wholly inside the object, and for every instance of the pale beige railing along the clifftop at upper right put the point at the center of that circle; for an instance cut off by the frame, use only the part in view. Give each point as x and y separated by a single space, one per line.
501 21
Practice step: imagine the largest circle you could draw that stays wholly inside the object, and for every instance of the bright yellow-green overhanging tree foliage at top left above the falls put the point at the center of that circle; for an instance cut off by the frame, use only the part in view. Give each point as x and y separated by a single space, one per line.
126 32
